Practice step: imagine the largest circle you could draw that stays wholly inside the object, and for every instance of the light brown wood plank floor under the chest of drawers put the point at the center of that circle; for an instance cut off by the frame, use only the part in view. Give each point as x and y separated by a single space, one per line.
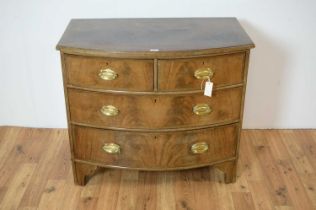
277 170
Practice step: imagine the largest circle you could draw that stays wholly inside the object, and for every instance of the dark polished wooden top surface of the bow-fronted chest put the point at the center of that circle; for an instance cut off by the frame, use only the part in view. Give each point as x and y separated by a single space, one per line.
154 36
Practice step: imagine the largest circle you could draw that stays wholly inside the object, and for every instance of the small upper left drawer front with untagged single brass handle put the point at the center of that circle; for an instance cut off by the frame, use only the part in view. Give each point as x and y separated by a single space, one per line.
106 73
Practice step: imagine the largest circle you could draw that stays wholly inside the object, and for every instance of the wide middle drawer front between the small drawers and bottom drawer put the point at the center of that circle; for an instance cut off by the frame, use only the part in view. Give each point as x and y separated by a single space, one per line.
154 111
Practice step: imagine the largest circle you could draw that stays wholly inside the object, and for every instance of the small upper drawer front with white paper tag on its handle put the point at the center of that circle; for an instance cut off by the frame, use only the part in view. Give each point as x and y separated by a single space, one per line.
179 74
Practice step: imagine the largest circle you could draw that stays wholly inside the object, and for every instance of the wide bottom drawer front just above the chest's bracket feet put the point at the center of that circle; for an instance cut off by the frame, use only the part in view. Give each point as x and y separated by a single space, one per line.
155 150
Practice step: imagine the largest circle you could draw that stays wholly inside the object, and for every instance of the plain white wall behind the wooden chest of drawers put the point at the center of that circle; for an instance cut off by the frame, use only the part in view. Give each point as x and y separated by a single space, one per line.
282 78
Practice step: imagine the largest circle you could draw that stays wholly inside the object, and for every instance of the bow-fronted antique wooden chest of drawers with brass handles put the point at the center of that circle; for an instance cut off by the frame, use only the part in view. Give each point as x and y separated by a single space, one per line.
134 99
